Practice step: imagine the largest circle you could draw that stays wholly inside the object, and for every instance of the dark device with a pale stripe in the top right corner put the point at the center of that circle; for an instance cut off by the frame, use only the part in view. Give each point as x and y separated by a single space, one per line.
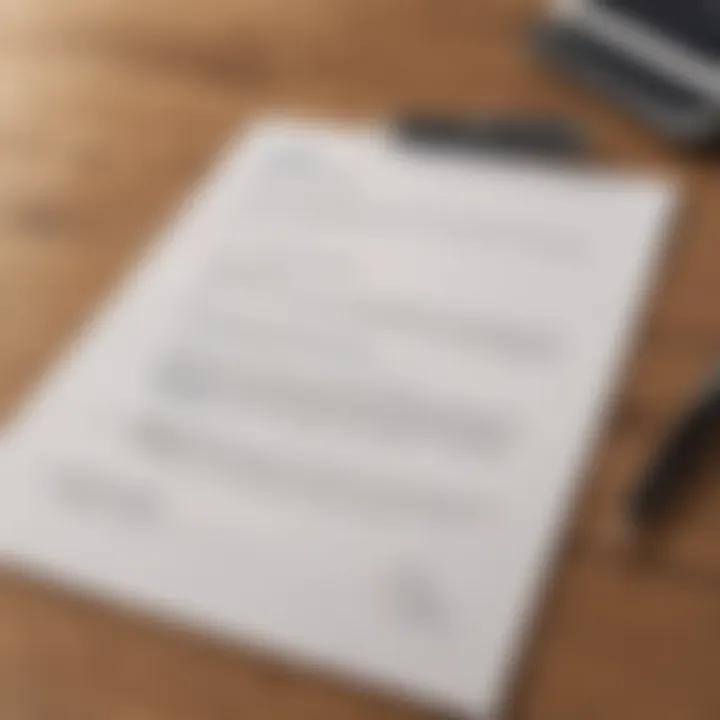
659 59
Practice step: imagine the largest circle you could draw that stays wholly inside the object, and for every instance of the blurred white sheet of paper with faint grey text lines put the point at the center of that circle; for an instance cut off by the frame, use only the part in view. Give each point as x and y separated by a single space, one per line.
341 410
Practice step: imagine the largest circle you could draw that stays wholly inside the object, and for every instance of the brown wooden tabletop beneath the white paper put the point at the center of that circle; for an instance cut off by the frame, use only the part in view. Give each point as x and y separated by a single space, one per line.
108 112
